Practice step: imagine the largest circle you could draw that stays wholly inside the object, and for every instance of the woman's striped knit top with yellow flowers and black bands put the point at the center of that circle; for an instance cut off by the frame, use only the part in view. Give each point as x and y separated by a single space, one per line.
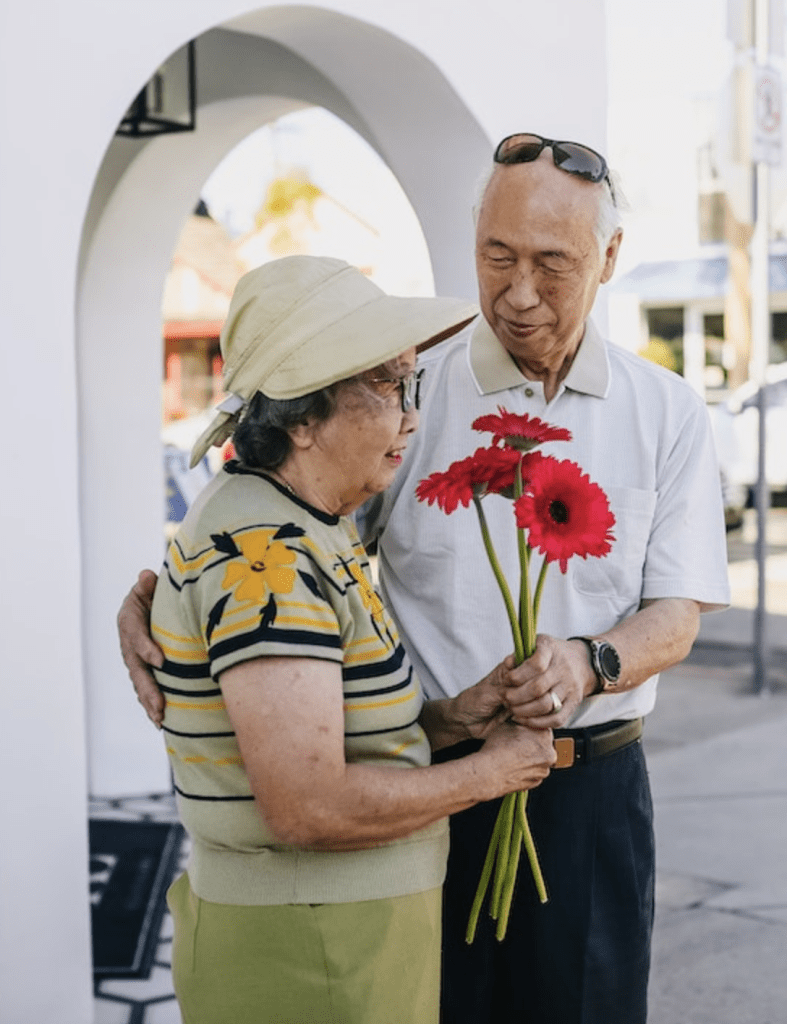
254 572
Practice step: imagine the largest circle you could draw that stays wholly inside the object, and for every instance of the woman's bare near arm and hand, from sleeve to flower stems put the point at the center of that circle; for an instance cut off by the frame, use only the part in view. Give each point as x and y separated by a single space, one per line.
288 714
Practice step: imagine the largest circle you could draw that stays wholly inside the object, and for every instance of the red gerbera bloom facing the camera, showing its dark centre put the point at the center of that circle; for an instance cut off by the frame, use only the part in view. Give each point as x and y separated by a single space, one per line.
565 514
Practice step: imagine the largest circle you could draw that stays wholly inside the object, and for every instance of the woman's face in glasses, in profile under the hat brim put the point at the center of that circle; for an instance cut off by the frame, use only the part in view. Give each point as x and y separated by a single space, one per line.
364 442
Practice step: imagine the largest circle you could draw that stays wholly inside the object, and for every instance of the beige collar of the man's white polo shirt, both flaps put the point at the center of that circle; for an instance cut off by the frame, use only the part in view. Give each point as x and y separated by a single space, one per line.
495 370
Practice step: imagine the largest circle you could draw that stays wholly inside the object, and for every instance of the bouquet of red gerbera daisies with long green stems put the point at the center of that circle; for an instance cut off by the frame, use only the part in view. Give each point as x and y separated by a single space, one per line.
560 513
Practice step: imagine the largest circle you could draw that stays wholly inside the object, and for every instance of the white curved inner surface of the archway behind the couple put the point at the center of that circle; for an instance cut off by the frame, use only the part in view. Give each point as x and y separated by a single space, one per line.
286 58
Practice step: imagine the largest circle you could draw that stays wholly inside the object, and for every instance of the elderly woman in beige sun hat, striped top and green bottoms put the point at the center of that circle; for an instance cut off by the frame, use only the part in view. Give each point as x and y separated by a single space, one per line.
298 737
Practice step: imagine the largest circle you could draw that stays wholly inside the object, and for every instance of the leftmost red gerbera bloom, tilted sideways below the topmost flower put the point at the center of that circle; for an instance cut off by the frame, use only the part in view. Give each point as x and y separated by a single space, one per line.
490 471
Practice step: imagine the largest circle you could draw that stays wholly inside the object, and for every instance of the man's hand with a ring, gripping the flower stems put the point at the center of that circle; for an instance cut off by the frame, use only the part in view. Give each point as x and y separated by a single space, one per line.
559 667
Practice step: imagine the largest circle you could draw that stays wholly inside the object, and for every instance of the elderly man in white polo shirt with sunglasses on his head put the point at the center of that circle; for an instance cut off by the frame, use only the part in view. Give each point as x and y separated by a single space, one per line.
548 236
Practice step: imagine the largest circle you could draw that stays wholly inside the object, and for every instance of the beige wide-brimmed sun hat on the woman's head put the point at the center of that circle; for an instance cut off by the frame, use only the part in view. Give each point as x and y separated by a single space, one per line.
299 324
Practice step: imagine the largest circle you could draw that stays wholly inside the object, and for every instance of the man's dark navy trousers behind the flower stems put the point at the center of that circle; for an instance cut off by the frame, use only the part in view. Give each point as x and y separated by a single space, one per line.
583 958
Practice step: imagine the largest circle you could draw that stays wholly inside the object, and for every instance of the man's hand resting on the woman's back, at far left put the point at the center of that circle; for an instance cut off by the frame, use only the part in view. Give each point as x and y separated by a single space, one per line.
139 650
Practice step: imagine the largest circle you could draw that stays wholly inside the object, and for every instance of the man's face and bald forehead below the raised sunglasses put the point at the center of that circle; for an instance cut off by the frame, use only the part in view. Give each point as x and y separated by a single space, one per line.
538 260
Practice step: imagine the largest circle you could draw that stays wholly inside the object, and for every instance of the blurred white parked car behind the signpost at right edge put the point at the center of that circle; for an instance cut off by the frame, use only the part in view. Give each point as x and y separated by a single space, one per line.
736 429
